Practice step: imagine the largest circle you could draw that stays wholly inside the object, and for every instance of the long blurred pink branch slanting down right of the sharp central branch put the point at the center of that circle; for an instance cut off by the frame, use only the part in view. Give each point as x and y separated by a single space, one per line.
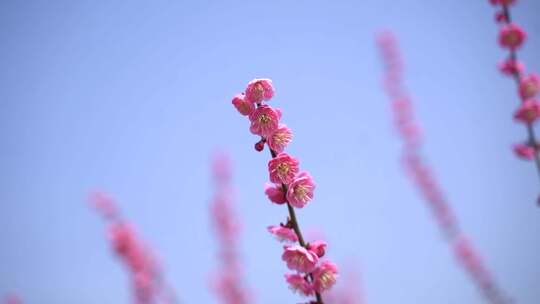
423 177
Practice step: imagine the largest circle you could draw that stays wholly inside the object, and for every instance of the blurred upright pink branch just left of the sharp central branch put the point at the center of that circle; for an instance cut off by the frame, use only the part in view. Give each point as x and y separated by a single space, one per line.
227 282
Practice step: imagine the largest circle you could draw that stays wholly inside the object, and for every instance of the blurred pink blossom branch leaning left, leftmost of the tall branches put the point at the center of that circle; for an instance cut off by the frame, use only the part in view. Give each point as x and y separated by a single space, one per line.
149 285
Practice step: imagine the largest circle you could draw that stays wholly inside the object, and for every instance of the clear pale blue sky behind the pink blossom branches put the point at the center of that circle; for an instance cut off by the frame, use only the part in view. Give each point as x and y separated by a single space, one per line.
131 97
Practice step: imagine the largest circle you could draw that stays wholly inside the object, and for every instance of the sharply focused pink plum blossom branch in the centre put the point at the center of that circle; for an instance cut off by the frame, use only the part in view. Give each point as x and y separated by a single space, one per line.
289 186
